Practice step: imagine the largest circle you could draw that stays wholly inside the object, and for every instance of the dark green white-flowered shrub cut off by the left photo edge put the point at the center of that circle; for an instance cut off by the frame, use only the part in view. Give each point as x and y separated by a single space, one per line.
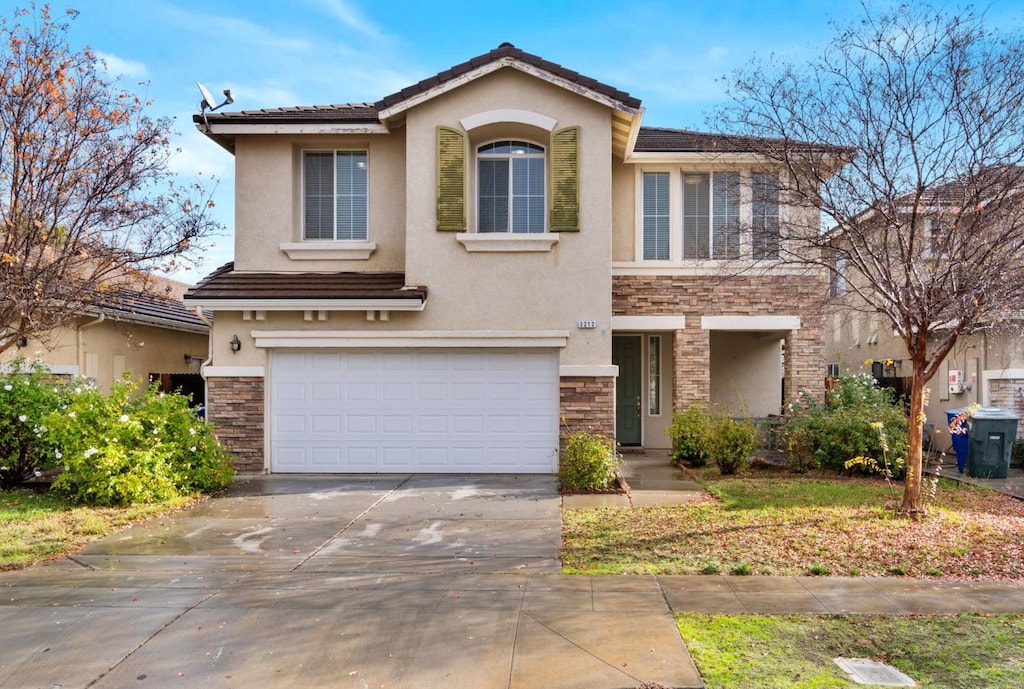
28 396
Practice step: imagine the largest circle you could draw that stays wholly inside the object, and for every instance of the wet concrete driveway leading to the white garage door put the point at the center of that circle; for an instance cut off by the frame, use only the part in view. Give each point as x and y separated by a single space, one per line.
406 581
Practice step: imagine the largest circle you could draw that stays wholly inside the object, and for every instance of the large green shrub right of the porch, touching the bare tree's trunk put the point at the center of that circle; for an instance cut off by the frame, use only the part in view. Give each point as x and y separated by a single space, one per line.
828 436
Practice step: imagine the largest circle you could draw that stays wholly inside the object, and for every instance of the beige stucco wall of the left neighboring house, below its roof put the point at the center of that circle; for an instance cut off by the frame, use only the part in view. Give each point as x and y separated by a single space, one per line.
106 351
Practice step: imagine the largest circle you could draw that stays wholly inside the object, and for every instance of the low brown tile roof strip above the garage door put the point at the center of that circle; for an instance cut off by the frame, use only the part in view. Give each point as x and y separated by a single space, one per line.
226 284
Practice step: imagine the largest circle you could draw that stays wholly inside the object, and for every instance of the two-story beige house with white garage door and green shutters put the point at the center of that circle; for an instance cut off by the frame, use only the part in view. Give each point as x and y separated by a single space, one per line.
448 279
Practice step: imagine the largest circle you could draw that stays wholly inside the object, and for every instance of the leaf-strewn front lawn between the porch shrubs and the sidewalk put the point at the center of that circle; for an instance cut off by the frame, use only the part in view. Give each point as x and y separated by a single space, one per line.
784 526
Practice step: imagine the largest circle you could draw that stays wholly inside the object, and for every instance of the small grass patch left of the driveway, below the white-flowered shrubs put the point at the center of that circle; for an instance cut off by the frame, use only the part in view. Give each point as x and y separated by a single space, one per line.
36 527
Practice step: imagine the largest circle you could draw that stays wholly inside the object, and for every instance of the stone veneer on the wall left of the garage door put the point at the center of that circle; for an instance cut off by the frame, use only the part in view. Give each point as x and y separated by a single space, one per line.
235 407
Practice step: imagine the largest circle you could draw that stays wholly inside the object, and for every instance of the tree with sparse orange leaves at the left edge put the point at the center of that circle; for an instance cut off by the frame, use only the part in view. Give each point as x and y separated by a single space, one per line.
87 199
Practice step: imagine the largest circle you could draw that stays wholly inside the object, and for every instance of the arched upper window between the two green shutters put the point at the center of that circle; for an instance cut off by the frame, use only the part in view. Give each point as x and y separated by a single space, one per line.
511 188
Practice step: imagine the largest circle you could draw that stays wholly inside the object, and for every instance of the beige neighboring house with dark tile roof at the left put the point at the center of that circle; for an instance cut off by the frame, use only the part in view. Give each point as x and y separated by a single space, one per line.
150 334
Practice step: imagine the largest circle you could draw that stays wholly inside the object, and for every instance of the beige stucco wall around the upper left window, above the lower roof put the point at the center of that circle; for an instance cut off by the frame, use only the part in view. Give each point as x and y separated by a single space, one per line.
269 201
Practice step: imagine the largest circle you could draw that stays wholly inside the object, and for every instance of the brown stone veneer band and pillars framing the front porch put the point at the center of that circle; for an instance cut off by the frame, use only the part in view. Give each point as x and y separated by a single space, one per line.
696 296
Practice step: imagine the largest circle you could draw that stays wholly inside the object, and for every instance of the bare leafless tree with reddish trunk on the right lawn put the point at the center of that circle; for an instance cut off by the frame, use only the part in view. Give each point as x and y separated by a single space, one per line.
923 213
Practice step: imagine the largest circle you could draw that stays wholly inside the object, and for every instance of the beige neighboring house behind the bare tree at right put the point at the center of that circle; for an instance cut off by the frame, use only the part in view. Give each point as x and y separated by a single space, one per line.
987 368
